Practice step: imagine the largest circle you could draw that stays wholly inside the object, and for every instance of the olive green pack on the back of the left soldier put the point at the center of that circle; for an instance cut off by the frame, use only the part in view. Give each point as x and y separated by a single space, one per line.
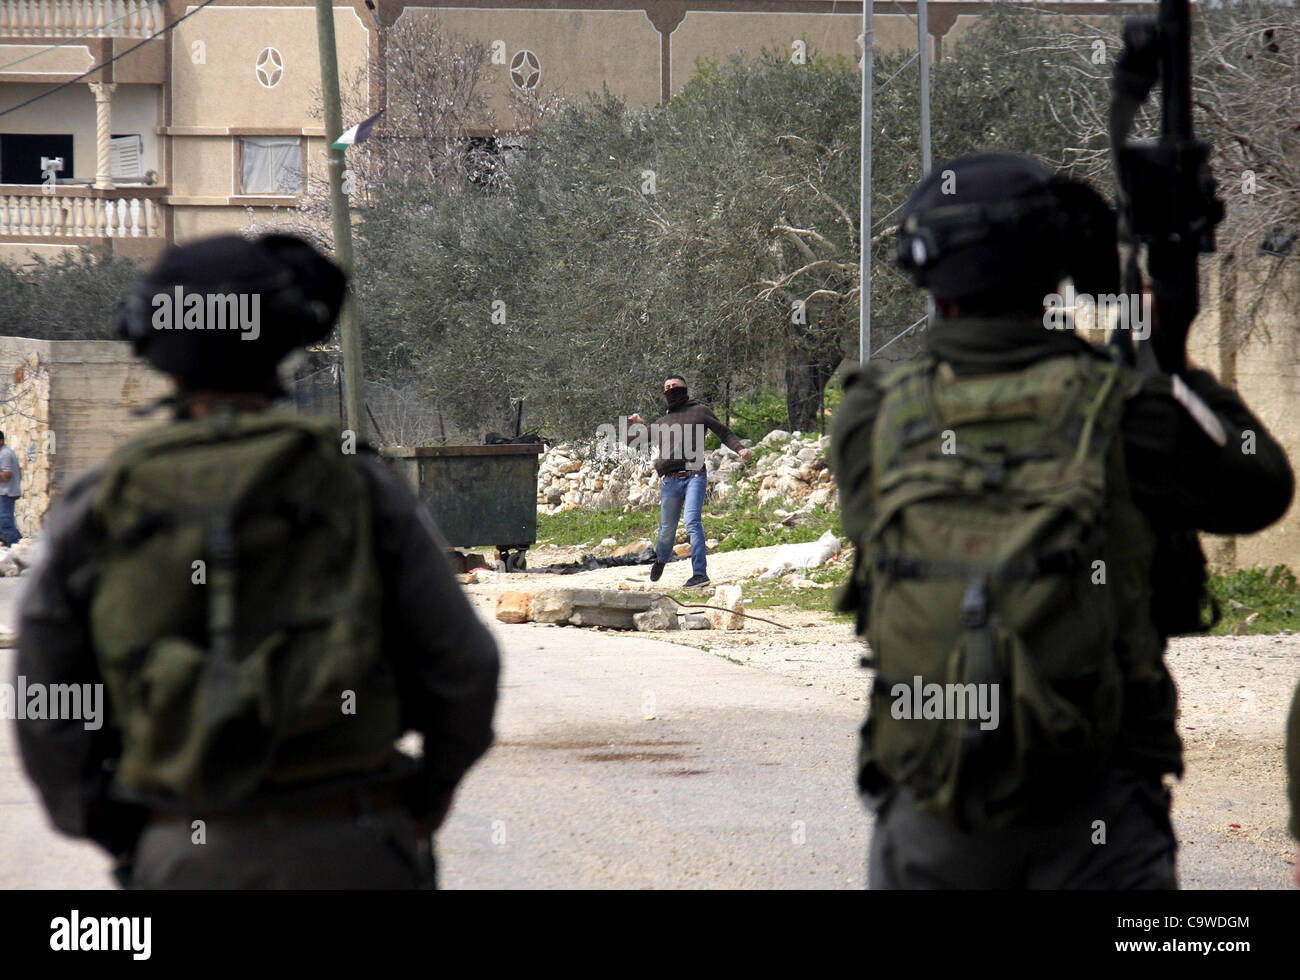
237 612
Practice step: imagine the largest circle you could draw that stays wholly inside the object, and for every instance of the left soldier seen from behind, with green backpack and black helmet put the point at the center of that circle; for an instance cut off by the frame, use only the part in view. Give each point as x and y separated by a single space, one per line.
267 606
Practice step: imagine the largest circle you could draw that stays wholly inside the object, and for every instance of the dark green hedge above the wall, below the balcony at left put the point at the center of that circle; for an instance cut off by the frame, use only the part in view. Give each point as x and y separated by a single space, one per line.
68 298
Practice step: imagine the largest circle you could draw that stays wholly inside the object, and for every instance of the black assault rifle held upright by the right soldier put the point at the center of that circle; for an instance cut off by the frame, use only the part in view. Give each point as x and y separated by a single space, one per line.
1167 194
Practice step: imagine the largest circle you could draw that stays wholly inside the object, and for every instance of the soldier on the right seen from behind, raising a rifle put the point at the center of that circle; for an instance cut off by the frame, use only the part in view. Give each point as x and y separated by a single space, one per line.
1025 506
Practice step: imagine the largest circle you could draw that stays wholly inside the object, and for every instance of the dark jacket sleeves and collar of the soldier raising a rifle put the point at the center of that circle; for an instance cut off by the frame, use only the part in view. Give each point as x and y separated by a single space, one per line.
1178 476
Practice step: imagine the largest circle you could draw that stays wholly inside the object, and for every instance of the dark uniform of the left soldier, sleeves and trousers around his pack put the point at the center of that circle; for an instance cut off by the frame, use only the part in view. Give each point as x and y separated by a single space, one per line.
352 831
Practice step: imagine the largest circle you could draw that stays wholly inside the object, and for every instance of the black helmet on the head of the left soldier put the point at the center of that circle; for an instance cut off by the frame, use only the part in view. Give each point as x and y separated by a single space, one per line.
223 313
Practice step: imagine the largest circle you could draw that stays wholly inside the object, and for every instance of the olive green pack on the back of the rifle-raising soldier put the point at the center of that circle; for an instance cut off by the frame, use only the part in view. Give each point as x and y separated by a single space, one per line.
1008 583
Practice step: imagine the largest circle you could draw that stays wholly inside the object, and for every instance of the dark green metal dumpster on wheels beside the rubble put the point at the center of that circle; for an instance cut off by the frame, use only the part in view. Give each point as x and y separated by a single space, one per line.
480 496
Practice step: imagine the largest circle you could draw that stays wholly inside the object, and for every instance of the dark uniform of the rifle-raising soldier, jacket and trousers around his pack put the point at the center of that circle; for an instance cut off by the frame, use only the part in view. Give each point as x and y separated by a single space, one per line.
1180 479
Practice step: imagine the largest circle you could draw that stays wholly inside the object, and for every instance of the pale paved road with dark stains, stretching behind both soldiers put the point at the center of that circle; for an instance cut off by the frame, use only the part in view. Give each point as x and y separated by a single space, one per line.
625 762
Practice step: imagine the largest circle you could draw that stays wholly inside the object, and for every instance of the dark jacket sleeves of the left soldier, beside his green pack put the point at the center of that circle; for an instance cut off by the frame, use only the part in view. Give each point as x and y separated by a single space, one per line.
445 660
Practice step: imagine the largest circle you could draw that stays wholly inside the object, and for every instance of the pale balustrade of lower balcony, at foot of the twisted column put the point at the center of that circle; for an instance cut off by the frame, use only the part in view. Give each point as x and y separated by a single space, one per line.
80 213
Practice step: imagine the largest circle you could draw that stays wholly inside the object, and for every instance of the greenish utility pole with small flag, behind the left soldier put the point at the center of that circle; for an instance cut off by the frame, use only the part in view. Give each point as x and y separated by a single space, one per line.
350 339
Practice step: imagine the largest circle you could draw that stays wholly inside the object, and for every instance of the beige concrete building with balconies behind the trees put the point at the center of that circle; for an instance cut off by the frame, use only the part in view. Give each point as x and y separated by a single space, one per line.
142 136
